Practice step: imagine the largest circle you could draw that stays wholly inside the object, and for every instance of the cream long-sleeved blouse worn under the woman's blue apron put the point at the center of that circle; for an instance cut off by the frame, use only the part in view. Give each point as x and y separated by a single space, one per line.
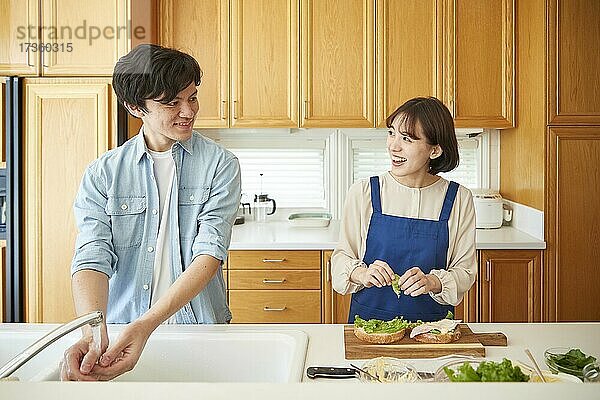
423 203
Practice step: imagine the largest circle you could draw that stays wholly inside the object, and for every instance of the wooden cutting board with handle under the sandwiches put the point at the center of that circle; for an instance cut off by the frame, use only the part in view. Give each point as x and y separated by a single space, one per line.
468 344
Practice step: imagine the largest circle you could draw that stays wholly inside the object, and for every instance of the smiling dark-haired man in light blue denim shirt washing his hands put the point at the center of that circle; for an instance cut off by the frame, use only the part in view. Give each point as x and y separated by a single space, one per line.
154 218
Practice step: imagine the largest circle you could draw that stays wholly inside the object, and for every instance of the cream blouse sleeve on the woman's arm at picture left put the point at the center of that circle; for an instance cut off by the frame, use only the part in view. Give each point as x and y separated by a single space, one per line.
347 255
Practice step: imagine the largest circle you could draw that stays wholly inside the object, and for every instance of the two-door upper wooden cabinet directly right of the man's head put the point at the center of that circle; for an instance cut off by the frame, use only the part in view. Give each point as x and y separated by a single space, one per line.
249 55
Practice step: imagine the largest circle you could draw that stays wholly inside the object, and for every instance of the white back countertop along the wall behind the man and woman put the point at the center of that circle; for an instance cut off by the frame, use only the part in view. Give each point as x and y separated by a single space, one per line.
280 235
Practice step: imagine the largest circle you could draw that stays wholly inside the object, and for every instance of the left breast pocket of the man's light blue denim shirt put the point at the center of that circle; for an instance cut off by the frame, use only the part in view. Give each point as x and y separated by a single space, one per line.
127 215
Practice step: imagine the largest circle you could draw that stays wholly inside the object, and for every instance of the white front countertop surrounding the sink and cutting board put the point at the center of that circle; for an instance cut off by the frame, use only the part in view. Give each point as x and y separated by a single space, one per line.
326 349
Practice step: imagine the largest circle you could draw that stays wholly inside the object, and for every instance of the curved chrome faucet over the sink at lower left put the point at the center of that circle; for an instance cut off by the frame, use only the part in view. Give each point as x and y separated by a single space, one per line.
93 319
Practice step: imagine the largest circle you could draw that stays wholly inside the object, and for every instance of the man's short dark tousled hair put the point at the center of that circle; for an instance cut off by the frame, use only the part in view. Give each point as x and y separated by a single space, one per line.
153 72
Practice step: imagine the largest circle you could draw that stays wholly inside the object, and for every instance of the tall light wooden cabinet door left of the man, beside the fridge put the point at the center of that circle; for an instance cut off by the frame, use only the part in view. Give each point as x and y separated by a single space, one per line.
68 125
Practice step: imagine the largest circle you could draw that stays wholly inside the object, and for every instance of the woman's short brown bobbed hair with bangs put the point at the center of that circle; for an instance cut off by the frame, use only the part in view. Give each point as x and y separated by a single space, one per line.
437 125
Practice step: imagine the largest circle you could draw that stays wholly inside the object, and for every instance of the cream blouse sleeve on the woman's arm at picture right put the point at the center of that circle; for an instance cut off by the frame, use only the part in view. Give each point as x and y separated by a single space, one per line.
460 273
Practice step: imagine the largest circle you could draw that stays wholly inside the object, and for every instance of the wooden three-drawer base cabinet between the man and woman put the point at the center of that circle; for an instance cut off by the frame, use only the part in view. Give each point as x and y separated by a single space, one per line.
275 286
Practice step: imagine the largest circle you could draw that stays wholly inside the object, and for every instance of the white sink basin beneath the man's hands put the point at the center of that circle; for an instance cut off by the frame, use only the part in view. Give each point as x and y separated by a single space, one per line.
185 354
